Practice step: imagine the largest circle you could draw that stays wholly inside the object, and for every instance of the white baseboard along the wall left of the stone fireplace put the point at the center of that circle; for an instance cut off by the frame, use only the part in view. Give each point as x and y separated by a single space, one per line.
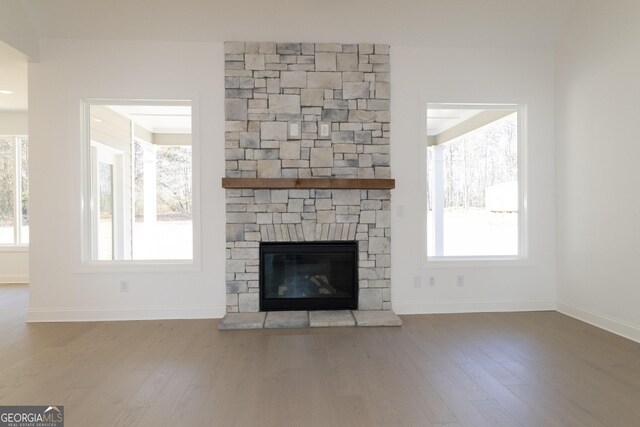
106 314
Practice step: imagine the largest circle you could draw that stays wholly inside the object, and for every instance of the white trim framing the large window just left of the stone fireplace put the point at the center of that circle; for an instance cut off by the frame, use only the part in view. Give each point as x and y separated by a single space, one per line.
85 263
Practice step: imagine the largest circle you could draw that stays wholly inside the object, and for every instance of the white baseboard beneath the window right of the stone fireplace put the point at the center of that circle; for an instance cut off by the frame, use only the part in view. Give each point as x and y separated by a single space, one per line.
474 306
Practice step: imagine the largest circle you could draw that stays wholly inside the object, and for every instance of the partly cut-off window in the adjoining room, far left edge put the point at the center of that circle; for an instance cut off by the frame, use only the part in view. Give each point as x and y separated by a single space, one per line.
14 191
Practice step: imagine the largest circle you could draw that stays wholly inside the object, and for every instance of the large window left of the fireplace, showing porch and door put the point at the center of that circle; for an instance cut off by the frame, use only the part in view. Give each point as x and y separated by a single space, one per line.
139 181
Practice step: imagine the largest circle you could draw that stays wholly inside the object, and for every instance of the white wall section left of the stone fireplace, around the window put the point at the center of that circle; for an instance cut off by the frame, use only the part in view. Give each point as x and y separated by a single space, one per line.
61 289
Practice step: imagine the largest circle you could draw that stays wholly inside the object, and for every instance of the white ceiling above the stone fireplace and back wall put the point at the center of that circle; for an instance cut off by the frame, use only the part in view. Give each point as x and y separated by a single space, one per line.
463 23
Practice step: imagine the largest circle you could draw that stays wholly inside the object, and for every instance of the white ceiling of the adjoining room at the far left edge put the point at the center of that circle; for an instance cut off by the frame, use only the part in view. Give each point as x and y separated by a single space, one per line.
13 77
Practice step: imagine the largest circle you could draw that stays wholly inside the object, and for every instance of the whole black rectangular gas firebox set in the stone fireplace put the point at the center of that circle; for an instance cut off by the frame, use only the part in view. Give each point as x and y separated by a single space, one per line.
308 276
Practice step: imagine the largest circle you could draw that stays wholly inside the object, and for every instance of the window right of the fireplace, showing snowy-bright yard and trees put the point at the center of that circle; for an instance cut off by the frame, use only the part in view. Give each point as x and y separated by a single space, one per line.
474 192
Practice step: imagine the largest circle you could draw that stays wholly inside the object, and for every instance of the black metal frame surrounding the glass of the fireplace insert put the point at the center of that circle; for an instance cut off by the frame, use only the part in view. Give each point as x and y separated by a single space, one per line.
284 304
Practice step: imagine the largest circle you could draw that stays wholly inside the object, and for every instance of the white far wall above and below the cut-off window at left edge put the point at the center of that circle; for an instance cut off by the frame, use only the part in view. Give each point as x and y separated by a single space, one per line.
14 262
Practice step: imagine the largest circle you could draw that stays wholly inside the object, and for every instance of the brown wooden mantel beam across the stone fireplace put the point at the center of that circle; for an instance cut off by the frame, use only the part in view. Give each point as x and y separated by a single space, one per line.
303 183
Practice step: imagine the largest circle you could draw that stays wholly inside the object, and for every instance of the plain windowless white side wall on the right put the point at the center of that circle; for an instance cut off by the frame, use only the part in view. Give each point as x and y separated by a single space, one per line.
598 64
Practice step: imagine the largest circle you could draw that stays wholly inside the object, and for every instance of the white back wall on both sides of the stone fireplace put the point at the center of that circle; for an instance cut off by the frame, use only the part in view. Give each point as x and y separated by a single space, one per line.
70 70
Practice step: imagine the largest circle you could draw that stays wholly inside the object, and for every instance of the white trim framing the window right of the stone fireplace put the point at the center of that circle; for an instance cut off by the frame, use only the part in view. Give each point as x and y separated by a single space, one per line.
522 259
